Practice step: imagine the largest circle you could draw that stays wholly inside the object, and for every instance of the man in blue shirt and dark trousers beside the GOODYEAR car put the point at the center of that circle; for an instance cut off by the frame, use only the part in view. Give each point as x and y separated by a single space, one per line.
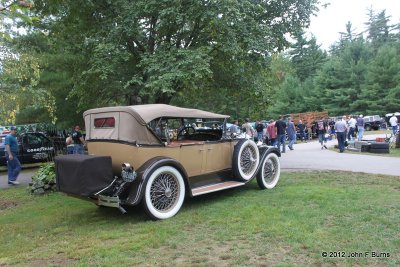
11 152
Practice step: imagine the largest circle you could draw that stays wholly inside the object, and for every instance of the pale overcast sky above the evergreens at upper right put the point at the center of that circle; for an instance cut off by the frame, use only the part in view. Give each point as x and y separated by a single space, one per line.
332 19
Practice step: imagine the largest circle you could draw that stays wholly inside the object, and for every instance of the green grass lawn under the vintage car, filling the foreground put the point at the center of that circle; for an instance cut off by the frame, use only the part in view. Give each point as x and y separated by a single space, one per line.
354 216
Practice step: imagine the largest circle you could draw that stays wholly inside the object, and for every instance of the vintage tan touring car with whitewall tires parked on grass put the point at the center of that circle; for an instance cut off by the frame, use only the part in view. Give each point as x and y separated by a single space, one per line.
157 154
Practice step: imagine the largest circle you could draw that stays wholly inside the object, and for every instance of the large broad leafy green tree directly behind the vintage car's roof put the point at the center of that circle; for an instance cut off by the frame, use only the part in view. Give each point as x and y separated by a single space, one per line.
150 51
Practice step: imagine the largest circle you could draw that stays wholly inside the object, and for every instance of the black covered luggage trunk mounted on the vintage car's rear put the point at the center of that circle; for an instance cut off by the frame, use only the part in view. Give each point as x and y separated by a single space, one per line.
83 175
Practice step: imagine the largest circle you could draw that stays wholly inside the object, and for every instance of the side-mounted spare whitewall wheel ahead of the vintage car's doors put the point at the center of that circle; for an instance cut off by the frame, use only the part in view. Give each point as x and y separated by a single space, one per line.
245 160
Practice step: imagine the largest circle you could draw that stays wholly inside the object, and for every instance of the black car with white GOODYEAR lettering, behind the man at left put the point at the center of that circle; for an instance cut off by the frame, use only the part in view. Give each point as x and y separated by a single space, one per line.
33 148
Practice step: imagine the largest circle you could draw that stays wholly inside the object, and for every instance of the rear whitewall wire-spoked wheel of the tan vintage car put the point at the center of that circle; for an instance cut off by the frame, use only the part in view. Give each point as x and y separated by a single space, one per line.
164 194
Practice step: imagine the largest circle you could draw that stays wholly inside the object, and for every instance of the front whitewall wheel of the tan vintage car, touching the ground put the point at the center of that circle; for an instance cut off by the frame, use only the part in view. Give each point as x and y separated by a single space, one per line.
270 171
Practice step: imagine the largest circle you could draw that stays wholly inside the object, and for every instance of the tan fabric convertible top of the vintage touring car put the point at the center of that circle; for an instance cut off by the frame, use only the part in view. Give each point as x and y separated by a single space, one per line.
131 121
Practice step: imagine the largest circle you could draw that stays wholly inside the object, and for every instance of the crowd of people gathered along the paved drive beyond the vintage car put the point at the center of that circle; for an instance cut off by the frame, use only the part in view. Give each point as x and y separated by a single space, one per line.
275 133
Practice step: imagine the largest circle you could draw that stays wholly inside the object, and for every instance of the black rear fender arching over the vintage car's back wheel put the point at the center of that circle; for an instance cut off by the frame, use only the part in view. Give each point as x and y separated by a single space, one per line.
143 174
